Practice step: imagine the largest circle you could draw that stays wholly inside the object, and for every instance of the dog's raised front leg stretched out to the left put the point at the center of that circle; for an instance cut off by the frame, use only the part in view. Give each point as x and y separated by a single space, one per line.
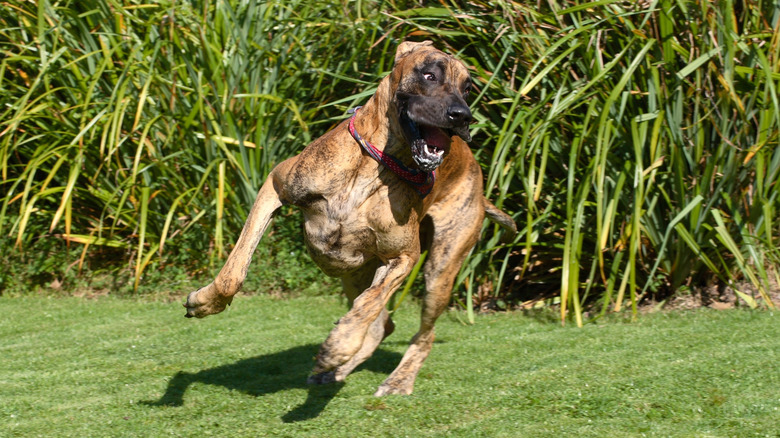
219 294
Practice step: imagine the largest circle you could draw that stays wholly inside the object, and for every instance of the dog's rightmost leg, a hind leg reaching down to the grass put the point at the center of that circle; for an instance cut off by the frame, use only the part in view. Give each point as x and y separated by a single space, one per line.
452 241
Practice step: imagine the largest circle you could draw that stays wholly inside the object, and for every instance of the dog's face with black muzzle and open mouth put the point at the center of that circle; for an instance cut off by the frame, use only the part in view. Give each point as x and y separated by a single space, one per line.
430 92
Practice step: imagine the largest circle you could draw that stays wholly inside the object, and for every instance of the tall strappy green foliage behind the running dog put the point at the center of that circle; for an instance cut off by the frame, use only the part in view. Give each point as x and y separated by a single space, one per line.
635 143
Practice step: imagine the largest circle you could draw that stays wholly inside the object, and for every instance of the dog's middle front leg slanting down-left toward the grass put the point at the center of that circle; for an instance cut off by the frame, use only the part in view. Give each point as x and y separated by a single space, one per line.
345 340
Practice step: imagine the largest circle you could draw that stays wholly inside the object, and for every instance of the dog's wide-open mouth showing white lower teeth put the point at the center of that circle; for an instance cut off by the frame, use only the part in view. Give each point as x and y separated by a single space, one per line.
429 144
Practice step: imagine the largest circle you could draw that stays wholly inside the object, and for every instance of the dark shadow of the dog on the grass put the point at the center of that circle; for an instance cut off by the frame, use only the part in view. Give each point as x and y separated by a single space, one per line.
272 373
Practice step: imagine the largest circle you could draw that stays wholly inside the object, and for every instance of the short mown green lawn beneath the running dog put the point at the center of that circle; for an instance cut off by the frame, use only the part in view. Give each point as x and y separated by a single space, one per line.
124 367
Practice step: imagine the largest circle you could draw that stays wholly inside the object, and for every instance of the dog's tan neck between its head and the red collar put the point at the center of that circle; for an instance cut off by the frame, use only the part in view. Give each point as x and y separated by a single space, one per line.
377 122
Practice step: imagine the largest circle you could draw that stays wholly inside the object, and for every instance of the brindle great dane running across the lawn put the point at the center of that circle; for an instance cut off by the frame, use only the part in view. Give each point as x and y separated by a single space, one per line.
396 179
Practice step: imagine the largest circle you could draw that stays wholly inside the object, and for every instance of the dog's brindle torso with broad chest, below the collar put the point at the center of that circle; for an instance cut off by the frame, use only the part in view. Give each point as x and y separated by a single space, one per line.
355 209
